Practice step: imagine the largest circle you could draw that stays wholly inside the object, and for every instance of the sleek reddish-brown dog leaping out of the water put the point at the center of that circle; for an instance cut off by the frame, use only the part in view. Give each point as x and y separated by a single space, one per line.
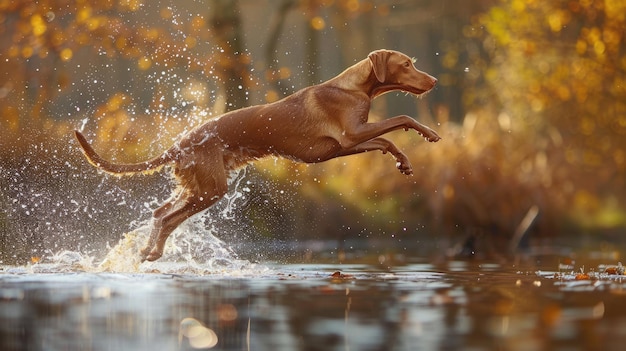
313 125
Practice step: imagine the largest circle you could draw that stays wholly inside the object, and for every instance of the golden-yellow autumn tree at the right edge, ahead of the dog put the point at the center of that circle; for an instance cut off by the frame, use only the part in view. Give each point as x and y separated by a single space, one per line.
558 70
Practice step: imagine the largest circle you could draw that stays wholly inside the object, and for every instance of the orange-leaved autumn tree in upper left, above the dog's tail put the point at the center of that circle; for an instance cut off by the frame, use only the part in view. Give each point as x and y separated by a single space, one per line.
49 47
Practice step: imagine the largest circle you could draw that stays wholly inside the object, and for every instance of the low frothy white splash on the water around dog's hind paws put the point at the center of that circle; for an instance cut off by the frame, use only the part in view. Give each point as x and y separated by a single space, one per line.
192 249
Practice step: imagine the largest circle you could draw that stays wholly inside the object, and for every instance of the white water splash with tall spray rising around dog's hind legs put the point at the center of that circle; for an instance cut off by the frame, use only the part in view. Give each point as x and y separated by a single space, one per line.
193 248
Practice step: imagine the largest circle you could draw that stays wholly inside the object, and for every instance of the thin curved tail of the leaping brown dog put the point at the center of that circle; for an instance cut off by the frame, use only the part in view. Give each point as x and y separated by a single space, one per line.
149 166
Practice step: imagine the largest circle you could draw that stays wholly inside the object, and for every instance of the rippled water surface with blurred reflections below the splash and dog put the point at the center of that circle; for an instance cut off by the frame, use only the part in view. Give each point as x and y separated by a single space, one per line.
307 307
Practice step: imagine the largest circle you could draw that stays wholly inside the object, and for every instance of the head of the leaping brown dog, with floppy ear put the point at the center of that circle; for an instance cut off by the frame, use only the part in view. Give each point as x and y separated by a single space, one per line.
395 71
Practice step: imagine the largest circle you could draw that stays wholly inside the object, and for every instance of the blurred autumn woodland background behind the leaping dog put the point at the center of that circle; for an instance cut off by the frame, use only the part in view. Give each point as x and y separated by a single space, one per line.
531 105
